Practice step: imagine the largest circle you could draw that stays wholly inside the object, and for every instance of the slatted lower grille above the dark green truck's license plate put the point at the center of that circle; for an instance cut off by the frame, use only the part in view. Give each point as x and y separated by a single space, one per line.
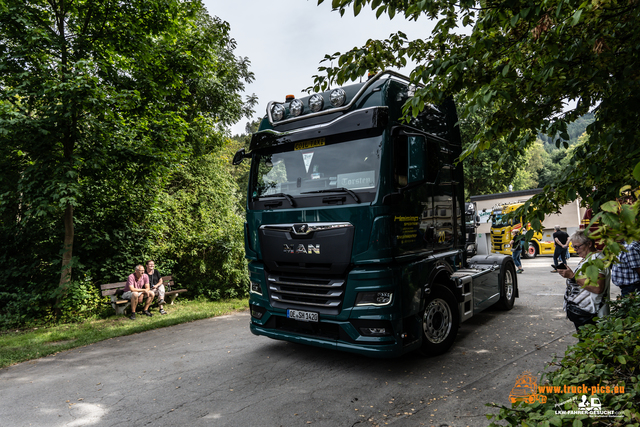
321 295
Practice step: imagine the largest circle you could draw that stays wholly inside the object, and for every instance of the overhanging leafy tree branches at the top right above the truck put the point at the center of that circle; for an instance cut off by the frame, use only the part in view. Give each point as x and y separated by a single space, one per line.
517 63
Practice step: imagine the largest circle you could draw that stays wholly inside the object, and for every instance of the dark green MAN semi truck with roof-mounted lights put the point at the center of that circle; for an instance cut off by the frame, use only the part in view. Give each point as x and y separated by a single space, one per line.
355 228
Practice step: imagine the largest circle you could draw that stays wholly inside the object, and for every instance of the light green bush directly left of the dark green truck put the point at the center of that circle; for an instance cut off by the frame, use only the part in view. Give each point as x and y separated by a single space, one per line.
201 229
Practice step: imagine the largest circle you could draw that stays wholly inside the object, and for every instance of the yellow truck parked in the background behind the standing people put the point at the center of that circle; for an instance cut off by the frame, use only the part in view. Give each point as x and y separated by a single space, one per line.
541 243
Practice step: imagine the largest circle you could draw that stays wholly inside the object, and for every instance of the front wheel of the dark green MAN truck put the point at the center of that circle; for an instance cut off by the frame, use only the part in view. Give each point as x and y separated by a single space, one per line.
440 321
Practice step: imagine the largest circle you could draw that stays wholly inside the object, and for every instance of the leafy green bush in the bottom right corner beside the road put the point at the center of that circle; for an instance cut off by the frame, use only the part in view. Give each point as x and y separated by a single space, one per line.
608 355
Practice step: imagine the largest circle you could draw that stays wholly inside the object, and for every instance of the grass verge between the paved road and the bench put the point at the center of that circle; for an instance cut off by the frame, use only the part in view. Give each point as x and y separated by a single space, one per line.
16 347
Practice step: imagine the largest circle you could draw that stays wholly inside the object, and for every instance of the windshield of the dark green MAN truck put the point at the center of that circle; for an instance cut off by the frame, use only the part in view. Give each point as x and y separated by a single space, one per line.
313 167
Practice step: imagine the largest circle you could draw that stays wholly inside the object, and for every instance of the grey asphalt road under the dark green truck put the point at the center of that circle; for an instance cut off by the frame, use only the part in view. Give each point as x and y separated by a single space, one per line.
216 373
